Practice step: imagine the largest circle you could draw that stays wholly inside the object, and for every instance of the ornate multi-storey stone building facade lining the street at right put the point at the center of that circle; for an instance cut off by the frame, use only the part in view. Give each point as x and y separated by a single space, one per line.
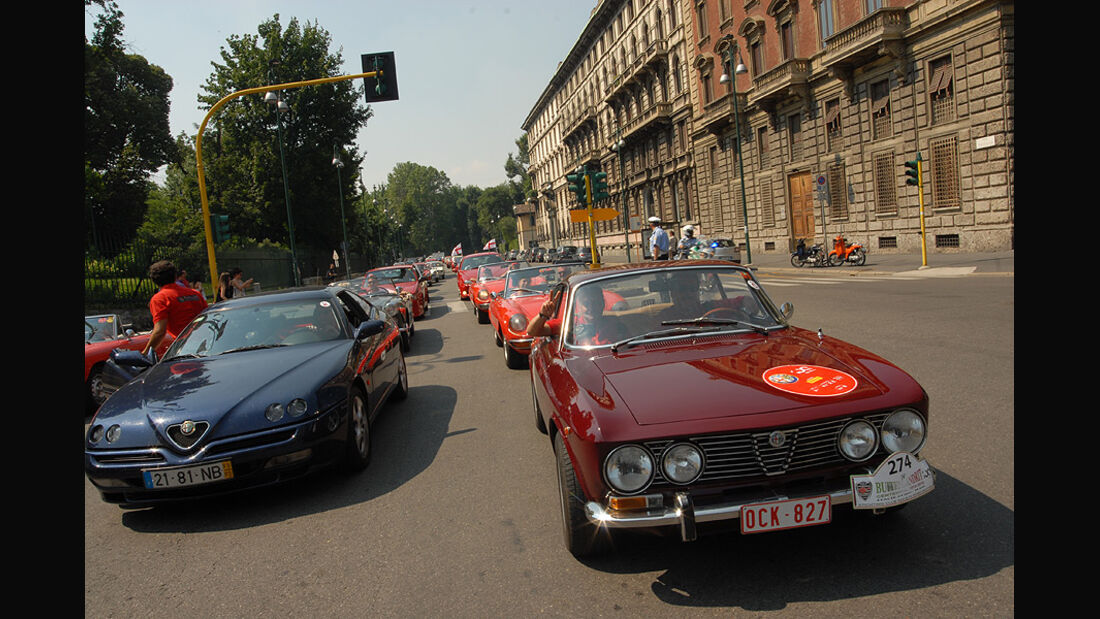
837 96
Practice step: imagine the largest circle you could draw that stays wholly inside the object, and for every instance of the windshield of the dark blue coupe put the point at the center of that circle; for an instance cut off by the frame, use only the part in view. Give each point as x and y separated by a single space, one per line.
280 324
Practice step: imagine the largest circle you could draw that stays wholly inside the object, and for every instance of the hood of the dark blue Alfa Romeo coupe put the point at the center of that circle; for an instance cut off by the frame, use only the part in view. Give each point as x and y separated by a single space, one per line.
230 392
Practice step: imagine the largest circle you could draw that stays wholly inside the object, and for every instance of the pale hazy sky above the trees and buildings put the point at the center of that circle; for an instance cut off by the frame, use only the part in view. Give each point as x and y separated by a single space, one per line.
469 72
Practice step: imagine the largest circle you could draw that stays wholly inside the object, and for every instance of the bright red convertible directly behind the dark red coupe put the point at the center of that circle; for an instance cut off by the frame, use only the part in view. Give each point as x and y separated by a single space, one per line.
510 312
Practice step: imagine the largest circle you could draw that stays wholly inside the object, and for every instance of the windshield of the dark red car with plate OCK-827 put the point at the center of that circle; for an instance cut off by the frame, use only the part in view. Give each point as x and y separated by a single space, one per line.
667 304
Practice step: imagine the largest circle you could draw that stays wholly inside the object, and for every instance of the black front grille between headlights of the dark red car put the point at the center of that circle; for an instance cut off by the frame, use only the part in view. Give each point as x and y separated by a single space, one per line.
750 456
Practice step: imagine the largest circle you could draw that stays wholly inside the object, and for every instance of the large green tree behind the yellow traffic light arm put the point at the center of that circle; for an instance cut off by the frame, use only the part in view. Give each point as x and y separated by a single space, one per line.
241 156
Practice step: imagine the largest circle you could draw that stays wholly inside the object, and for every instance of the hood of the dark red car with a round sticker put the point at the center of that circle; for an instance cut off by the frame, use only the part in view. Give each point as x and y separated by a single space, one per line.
724 380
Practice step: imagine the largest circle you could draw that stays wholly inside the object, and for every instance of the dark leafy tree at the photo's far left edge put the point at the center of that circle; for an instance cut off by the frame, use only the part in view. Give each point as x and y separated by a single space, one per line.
126 129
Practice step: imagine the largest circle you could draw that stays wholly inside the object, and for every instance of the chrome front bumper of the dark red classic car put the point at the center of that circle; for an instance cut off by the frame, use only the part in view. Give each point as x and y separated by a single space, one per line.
686 514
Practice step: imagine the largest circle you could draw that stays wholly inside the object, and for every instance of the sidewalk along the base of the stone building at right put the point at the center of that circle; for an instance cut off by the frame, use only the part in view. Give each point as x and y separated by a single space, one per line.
988 263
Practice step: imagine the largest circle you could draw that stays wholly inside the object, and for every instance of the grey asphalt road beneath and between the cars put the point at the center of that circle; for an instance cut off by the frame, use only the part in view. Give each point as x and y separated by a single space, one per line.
458 514
